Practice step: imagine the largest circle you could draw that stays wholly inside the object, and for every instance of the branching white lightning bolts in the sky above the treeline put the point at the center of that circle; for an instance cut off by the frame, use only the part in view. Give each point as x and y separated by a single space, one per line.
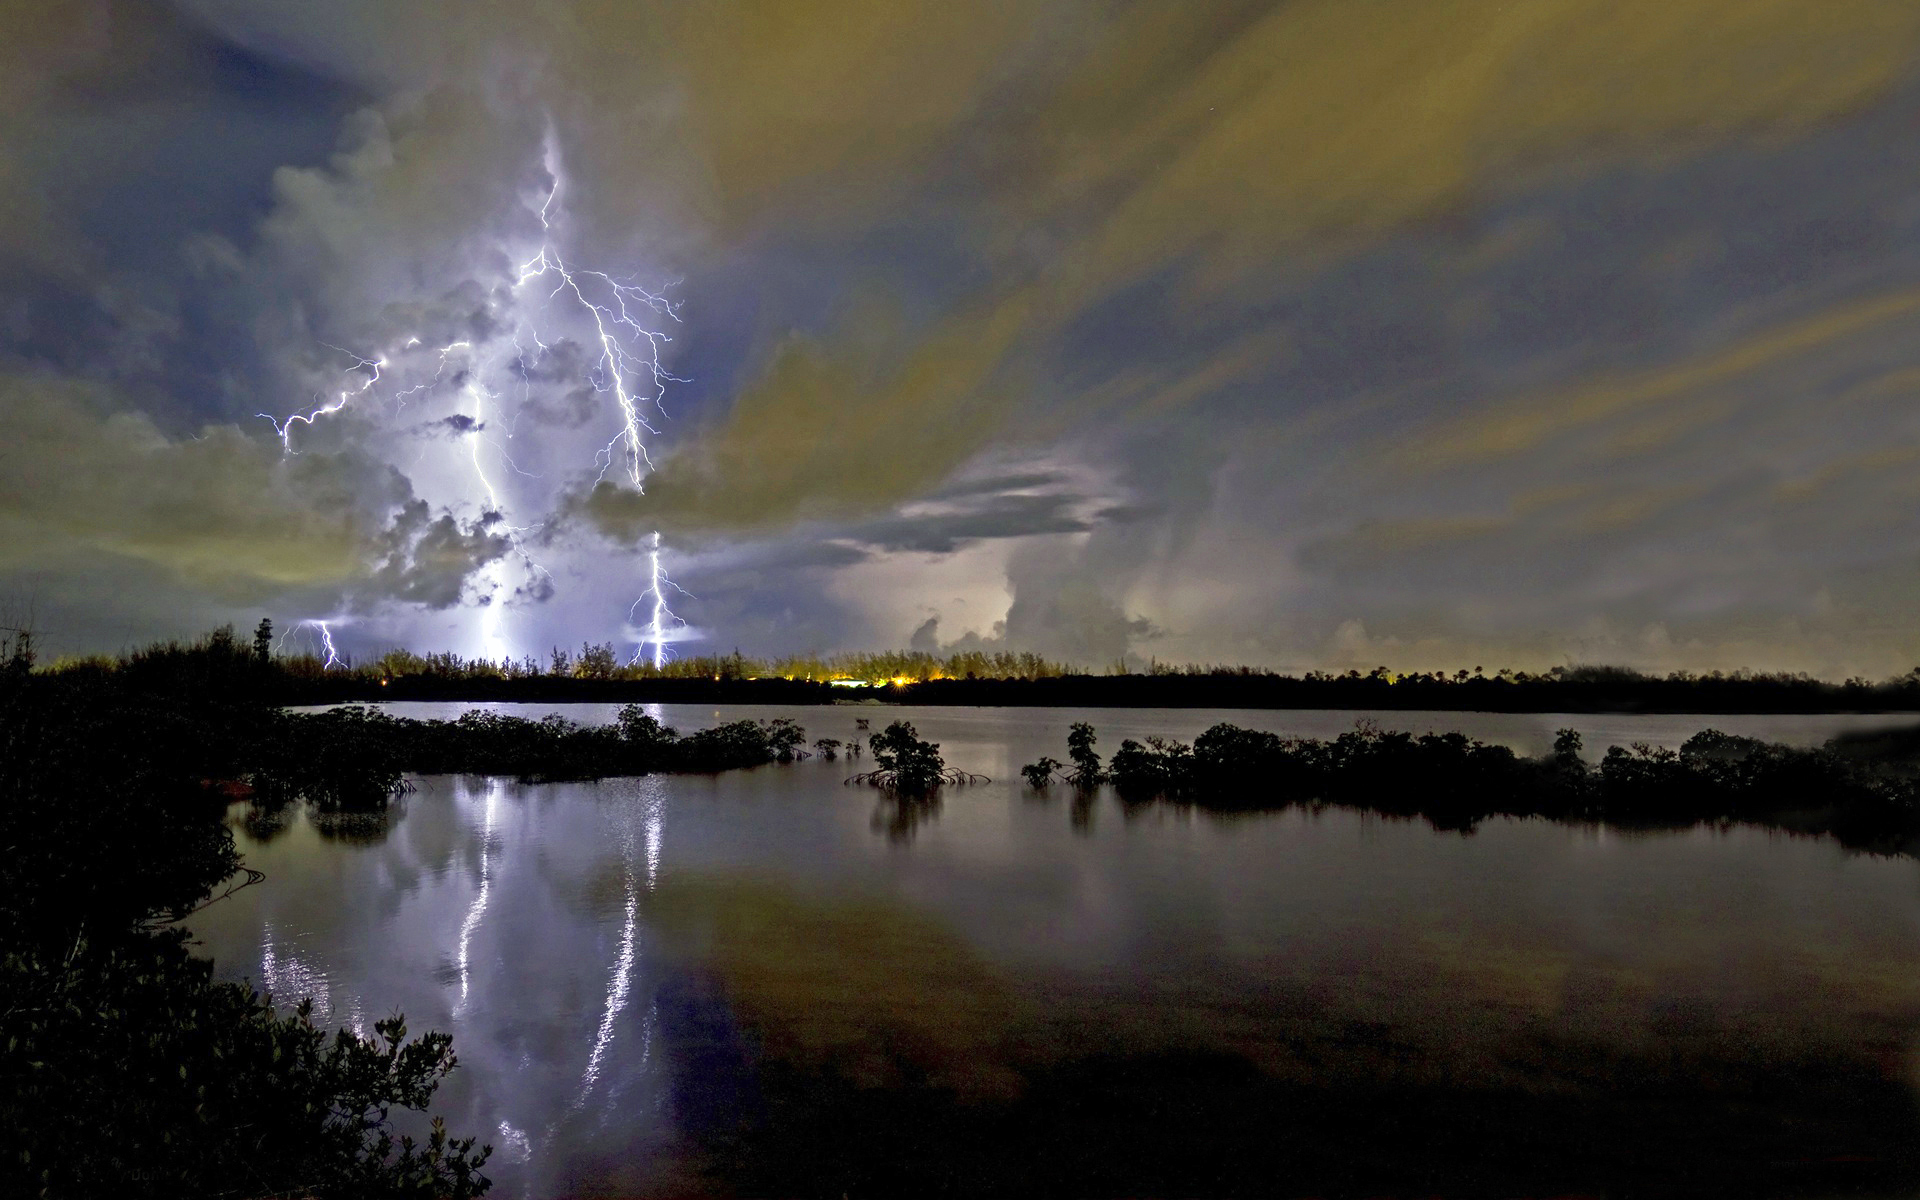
627 368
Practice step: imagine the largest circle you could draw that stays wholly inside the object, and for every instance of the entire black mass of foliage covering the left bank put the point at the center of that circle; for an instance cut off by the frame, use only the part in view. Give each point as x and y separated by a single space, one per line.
126 1070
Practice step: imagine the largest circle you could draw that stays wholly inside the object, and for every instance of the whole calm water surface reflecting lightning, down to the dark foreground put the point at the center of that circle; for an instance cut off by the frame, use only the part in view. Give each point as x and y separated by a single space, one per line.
767 982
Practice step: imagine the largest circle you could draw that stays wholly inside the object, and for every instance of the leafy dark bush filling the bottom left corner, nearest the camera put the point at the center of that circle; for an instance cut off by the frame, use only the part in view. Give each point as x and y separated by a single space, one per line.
132 1074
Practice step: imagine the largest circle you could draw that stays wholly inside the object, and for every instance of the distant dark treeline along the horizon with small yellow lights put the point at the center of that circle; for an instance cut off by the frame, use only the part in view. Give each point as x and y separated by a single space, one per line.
596 673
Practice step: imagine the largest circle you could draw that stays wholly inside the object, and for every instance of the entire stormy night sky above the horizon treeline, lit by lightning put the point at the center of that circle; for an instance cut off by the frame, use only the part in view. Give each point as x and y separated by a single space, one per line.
1310 333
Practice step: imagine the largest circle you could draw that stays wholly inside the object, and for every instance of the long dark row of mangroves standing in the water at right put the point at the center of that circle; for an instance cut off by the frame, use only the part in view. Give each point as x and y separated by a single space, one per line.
1865 800
